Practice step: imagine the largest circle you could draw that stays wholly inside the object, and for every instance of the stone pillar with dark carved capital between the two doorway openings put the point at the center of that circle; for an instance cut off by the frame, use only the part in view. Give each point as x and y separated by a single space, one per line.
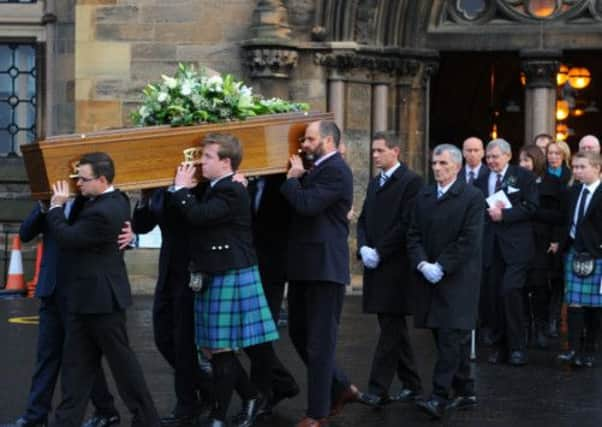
540 68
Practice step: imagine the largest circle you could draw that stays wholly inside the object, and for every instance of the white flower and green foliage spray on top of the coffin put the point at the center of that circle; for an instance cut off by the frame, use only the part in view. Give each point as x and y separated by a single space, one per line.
192 97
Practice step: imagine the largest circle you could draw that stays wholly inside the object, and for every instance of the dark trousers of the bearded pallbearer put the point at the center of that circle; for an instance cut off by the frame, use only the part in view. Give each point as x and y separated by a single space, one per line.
314 314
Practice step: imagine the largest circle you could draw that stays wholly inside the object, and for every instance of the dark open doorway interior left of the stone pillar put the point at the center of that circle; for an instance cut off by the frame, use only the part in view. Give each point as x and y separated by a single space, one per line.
471 92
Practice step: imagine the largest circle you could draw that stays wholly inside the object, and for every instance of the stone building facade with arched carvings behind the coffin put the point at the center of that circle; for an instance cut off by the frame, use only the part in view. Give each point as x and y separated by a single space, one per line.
371 62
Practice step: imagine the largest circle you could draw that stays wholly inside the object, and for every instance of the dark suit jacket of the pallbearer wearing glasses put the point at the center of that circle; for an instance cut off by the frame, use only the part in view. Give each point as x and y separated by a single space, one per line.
91 265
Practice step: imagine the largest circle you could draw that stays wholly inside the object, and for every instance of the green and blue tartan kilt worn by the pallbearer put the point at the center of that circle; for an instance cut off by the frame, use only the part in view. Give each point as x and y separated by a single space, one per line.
232 311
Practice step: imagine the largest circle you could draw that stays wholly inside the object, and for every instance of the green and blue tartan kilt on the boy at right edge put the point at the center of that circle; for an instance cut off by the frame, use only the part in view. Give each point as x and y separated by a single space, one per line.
582 290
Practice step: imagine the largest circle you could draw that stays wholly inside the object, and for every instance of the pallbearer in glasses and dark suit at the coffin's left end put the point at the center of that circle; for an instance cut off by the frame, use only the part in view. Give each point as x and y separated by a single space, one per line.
97 293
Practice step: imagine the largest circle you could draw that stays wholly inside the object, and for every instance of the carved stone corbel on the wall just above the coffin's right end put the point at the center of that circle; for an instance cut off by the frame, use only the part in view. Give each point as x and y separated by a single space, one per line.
271 61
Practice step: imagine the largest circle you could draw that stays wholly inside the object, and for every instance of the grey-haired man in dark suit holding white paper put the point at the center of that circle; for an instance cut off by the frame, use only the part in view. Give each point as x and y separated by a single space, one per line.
507 251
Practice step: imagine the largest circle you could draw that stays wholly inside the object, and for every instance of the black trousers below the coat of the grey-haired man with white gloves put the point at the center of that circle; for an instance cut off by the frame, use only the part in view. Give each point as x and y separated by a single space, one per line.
452 369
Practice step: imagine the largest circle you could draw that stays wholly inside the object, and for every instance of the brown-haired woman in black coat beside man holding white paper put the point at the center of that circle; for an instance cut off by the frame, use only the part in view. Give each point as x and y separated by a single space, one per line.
547 223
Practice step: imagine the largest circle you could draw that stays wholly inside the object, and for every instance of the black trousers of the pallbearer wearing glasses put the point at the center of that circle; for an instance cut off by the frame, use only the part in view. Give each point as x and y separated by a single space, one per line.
89 337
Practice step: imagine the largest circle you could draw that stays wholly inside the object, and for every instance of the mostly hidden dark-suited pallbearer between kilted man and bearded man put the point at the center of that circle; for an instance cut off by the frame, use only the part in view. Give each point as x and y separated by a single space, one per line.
271 215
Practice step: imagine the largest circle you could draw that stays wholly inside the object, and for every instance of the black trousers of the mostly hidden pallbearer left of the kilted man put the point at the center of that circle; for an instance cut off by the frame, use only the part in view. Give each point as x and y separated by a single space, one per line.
173 325
